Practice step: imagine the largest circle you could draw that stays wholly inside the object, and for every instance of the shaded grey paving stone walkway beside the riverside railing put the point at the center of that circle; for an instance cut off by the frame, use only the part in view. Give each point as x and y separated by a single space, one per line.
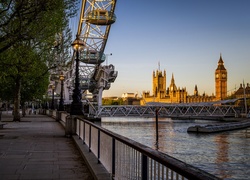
37 149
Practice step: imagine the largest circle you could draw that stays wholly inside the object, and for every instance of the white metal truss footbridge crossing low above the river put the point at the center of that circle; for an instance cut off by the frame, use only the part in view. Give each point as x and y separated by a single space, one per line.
167 111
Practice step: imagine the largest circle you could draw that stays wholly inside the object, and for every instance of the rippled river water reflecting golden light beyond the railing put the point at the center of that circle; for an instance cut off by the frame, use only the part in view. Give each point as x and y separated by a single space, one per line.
224 154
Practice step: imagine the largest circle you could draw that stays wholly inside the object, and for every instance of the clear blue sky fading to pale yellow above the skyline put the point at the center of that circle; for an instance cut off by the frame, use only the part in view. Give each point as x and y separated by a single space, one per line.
183 37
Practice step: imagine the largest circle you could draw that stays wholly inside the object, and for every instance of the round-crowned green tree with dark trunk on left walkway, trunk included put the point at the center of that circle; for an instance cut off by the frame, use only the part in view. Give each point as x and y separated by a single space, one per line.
21 65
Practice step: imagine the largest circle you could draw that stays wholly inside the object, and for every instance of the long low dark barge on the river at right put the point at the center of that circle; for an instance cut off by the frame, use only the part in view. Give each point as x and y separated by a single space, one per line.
219 127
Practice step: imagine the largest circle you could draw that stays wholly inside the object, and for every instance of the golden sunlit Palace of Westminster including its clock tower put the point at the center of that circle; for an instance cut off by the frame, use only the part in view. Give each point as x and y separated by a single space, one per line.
172 94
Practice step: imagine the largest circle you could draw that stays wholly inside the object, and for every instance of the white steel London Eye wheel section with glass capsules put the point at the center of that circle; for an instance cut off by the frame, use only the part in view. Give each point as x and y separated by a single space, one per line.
95 20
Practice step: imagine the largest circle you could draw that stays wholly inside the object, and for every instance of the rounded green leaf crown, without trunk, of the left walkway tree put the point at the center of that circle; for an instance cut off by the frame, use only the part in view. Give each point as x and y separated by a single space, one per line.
29 67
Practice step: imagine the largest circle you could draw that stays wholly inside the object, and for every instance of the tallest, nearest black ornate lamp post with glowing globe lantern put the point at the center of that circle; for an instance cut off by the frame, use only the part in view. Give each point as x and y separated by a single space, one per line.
76 105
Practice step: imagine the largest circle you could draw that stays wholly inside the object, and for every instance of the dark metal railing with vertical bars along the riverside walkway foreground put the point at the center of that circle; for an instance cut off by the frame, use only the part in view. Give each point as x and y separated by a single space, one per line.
127 159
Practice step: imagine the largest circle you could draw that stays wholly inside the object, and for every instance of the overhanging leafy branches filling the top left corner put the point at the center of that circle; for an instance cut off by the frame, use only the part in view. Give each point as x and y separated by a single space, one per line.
34 22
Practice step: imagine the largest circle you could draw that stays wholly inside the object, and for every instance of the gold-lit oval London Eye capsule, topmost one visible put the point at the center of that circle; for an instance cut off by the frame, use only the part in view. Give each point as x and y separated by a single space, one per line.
101 17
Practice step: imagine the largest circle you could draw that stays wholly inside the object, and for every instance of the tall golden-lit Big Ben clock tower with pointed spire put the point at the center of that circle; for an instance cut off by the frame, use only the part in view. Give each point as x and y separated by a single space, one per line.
220 81
